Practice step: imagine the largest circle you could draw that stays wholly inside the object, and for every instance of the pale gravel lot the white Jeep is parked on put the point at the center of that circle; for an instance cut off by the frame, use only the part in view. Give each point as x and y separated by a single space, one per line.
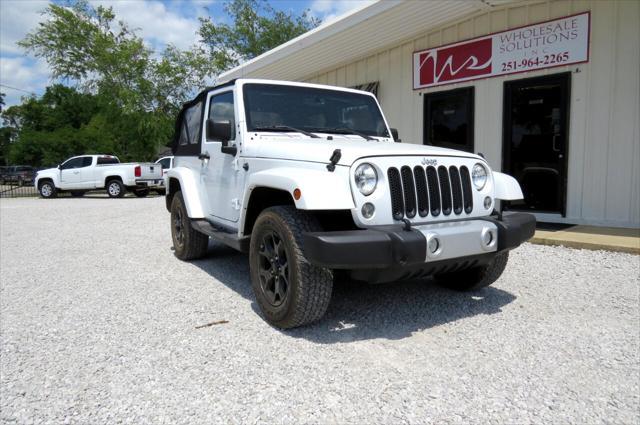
99 324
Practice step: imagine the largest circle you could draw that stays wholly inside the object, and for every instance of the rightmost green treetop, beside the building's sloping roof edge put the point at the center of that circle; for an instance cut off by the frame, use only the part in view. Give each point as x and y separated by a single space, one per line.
256 28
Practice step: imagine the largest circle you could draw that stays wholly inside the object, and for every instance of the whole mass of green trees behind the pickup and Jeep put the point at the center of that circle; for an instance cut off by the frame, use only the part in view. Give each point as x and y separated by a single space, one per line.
125 96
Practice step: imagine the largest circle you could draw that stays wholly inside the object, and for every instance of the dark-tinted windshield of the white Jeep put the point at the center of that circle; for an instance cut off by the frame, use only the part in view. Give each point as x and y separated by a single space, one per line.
289 108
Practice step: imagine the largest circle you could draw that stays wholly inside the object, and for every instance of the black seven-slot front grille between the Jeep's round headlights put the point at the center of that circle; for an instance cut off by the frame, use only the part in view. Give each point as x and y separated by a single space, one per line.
429 190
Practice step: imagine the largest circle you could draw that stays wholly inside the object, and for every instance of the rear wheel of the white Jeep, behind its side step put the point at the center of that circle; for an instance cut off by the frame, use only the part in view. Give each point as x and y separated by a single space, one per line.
188 243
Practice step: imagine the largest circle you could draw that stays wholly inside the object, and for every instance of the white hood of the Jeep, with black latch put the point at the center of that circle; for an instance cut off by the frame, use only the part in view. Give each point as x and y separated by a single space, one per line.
295 147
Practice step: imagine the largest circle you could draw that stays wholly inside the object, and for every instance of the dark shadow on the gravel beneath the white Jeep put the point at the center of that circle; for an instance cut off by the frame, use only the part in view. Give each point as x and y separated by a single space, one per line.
360 311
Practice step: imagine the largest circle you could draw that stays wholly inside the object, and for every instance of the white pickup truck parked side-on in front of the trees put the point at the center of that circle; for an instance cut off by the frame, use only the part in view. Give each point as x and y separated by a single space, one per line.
80 174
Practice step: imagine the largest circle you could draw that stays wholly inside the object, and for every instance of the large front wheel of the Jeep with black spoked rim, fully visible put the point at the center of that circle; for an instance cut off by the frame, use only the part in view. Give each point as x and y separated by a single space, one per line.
290 291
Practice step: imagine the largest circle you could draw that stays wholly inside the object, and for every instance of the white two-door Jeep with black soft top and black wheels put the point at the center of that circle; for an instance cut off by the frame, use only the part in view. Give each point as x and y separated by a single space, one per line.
309 180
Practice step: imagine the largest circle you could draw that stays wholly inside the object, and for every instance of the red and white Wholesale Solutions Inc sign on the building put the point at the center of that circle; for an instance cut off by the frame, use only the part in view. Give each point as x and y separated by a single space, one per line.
545 45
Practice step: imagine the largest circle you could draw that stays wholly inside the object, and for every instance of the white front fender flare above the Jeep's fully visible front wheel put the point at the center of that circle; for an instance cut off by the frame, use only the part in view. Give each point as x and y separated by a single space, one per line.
321 190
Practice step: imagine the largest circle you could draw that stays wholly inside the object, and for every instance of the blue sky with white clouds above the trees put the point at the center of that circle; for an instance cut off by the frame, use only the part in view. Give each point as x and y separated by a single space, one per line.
158 21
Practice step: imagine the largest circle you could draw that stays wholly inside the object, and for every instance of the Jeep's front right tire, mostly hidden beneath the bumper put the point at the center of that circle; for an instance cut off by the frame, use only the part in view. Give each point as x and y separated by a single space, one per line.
475 278
